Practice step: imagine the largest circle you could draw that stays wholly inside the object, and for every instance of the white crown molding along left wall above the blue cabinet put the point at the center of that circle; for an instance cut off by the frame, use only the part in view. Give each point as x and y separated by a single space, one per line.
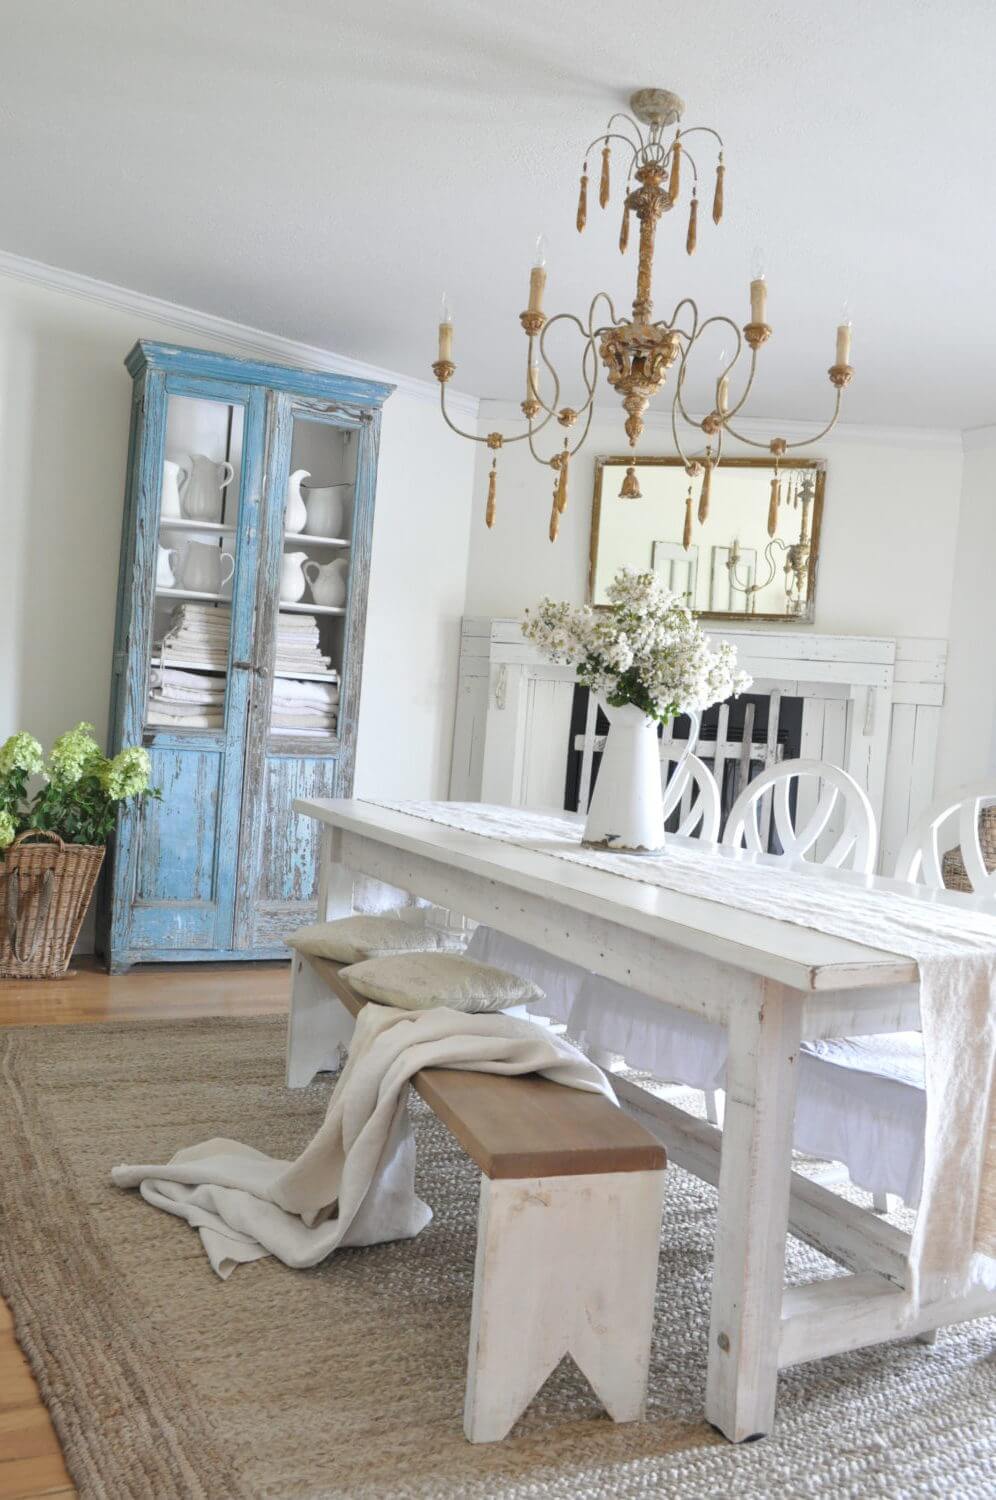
224 331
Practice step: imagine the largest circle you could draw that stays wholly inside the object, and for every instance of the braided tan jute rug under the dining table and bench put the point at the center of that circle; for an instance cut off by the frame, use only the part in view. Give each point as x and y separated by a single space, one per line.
349 1381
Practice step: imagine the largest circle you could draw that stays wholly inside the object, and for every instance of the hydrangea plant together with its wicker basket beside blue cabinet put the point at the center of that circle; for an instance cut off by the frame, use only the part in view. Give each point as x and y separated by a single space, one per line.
53 842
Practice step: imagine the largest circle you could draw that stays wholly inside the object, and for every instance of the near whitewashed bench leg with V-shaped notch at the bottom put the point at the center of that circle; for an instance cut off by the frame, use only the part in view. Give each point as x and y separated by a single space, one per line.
565 1267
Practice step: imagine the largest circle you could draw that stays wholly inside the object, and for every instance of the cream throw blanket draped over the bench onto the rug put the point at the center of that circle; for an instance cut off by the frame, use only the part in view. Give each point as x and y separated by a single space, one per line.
355 1183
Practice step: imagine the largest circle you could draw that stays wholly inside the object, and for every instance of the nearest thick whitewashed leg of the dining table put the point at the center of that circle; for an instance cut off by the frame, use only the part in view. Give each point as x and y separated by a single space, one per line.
754 1210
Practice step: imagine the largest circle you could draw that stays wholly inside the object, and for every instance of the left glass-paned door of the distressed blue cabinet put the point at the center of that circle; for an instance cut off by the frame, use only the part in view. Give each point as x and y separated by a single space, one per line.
191 664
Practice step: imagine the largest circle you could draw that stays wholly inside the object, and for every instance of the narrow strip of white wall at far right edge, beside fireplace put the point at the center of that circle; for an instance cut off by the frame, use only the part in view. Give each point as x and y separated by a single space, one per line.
967 751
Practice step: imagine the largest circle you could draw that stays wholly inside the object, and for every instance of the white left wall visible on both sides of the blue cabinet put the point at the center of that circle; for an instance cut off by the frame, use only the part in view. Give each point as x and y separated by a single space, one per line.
64 437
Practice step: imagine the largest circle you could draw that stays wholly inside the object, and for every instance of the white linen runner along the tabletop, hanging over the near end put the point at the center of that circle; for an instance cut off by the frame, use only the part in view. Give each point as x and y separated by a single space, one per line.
955 949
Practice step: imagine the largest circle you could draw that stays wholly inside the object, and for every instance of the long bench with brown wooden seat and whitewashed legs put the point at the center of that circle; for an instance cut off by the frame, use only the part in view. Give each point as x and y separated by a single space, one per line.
568 1232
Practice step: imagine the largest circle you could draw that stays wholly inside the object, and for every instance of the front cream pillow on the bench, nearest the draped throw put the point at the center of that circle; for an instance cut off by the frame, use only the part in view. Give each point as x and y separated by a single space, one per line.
419 982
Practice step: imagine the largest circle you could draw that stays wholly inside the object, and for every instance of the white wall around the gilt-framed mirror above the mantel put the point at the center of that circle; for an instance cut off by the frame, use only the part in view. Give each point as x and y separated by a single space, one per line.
889 541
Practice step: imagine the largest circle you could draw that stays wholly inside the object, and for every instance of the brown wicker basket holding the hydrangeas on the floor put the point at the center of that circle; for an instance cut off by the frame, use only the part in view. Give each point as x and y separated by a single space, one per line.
44 895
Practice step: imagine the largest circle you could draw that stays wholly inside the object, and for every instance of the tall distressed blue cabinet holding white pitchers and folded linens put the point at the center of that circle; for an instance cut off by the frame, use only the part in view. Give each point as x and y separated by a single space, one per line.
226 667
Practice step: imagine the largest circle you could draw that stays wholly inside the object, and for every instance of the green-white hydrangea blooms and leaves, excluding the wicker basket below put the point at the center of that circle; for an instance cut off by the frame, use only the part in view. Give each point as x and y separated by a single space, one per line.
80 791
